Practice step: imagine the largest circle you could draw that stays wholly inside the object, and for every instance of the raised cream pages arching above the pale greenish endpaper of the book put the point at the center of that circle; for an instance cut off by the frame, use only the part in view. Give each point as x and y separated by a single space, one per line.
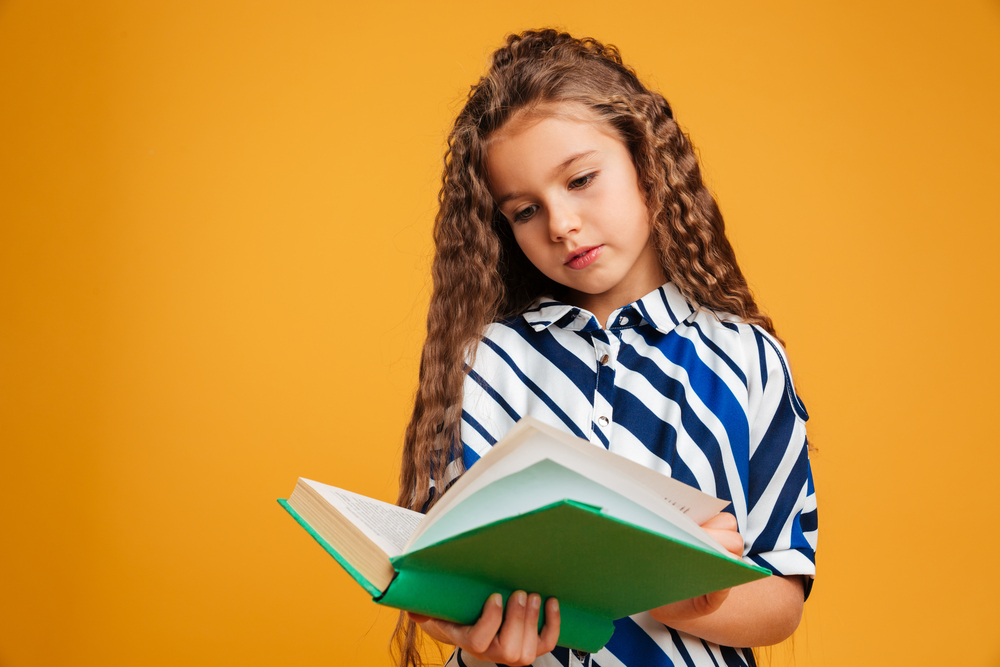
531 441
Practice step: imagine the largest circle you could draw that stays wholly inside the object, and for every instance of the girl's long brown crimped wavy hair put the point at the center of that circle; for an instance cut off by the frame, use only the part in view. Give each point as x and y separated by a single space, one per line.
480 275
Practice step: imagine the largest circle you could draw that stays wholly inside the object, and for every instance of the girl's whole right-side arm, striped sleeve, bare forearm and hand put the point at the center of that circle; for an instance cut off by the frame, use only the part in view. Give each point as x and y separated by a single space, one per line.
780 492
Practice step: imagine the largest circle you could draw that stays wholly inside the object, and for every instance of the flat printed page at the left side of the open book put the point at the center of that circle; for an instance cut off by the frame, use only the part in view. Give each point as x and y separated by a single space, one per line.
388 526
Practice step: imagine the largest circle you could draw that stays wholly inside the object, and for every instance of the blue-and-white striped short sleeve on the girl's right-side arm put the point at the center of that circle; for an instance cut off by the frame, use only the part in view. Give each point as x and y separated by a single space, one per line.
781 525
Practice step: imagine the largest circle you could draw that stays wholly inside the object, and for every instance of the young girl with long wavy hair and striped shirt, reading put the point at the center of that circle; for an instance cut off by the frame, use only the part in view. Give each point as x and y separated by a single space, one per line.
582 276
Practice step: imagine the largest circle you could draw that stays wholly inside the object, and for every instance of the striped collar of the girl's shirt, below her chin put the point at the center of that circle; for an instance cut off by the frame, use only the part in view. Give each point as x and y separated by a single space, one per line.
664 309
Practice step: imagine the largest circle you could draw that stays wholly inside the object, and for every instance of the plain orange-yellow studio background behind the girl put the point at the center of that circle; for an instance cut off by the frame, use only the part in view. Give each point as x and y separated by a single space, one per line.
214 244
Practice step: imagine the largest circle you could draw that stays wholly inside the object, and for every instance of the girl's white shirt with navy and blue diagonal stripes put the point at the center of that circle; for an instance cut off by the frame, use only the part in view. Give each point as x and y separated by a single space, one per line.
697 395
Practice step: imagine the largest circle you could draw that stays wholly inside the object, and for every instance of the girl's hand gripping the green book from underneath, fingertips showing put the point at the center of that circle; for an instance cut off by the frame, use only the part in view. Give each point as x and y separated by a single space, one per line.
512 639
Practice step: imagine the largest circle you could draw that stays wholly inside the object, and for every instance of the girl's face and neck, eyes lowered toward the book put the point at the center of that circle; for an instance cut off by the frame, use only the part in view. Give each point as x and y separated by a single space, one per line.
567 186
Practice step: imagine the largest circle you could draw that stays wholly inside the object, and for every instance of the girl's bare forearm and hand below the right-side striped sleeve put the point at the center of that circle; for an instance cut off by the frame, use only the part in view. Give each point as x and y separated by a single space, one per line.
759 613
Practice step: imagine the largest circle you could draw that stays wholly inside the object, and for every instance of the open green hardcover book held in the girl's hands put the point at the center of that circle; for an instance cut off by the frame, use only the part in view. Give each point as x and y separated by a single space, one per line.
545 512
